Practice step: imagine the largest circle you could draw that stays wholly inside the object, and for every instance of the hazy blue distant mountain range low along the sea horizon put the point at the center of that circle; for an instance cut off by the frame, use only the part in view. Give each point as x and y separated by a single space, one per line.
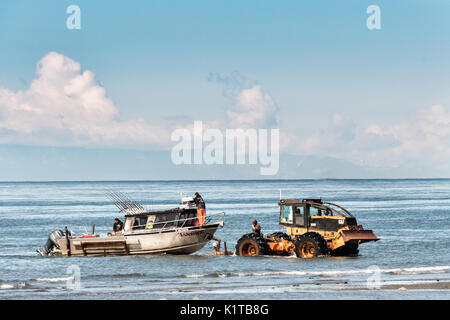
31 163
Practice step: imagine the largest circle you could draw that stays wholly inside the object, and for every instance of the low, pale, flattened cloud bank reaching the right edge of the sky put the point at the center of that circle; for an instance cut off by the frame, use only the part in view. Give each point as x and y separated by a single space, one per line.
421 139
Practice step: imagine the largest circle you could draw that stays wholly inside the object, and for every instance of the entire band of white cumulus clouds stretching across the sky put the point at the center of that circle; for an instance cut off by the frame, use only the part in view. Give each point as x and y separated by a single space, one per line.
66 106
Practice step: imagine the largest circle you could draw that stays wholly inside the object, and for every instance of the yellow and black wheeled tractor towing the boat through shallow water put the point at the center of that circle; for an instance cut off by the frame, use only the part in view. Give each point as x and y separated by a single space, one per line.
313 228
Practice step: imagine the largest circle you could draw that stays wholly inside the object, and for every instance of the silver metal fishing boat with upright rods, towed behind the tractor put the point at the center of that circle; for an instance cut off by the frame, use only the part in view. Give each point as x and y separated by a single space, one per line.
172 231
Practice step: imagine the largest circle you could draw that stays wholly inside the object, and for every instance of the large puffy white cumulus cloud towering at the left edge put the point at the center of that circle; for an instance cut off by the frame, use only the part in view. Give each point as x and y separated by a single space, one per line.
66 106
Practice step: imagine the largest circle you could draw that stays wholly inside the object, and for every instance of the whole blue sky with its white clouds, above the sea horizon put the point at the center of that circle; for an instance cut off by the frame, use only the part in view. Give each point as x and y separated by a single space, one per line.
379 100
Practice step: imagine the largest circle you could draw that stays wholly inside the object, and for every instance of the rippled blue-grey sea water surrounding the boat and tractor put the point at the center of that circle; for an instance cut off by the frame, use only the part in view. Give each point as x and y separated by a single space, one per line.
412 218
